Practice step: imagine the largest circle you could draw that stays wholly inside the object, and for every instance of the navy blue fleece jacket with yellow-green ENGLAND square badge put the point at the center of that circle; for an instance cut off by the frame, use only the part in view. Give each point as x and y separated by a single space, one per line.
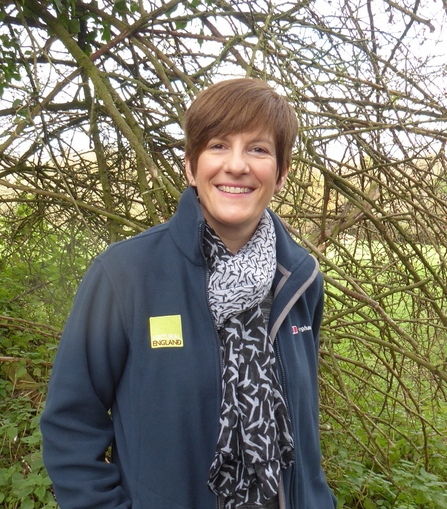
138 369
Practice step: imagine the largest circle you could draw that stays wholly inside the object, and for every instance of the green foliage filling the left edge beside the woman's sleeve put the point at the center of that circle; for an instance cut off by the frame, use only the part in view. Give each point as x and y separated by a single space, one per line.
40 269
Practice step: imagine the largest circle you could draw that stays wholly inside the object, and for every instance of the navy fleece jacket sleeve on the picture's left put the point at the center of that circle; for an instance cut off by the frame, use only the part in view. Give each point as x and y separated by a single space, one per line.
76 424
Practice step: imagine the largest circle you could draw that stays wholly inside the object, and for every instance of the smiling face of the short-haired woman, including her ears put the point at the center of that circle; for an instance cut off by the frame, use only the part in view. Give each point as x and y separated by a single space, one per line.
236 177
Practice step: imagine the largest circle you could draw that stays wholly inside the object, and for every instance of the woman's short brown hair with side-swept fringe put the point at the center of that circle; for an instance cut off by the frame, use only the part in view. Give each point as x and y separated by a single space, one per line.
240 105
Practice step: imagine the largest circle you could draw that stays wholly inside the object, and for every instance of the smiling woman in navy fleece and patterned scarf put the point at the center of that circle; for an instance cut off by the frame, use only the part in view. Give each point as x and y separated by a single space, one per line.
166 355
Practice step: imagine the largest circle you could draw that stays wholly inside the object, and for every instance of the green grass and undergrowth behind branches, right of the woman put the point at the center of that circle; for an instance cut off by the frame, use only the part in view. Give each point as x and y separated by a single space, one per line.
385 444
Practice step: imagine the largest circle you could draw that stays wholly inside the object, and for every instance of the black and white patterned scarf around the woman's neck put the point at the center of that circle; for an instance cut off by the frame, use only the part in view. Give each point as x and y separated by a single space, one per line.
255 439
